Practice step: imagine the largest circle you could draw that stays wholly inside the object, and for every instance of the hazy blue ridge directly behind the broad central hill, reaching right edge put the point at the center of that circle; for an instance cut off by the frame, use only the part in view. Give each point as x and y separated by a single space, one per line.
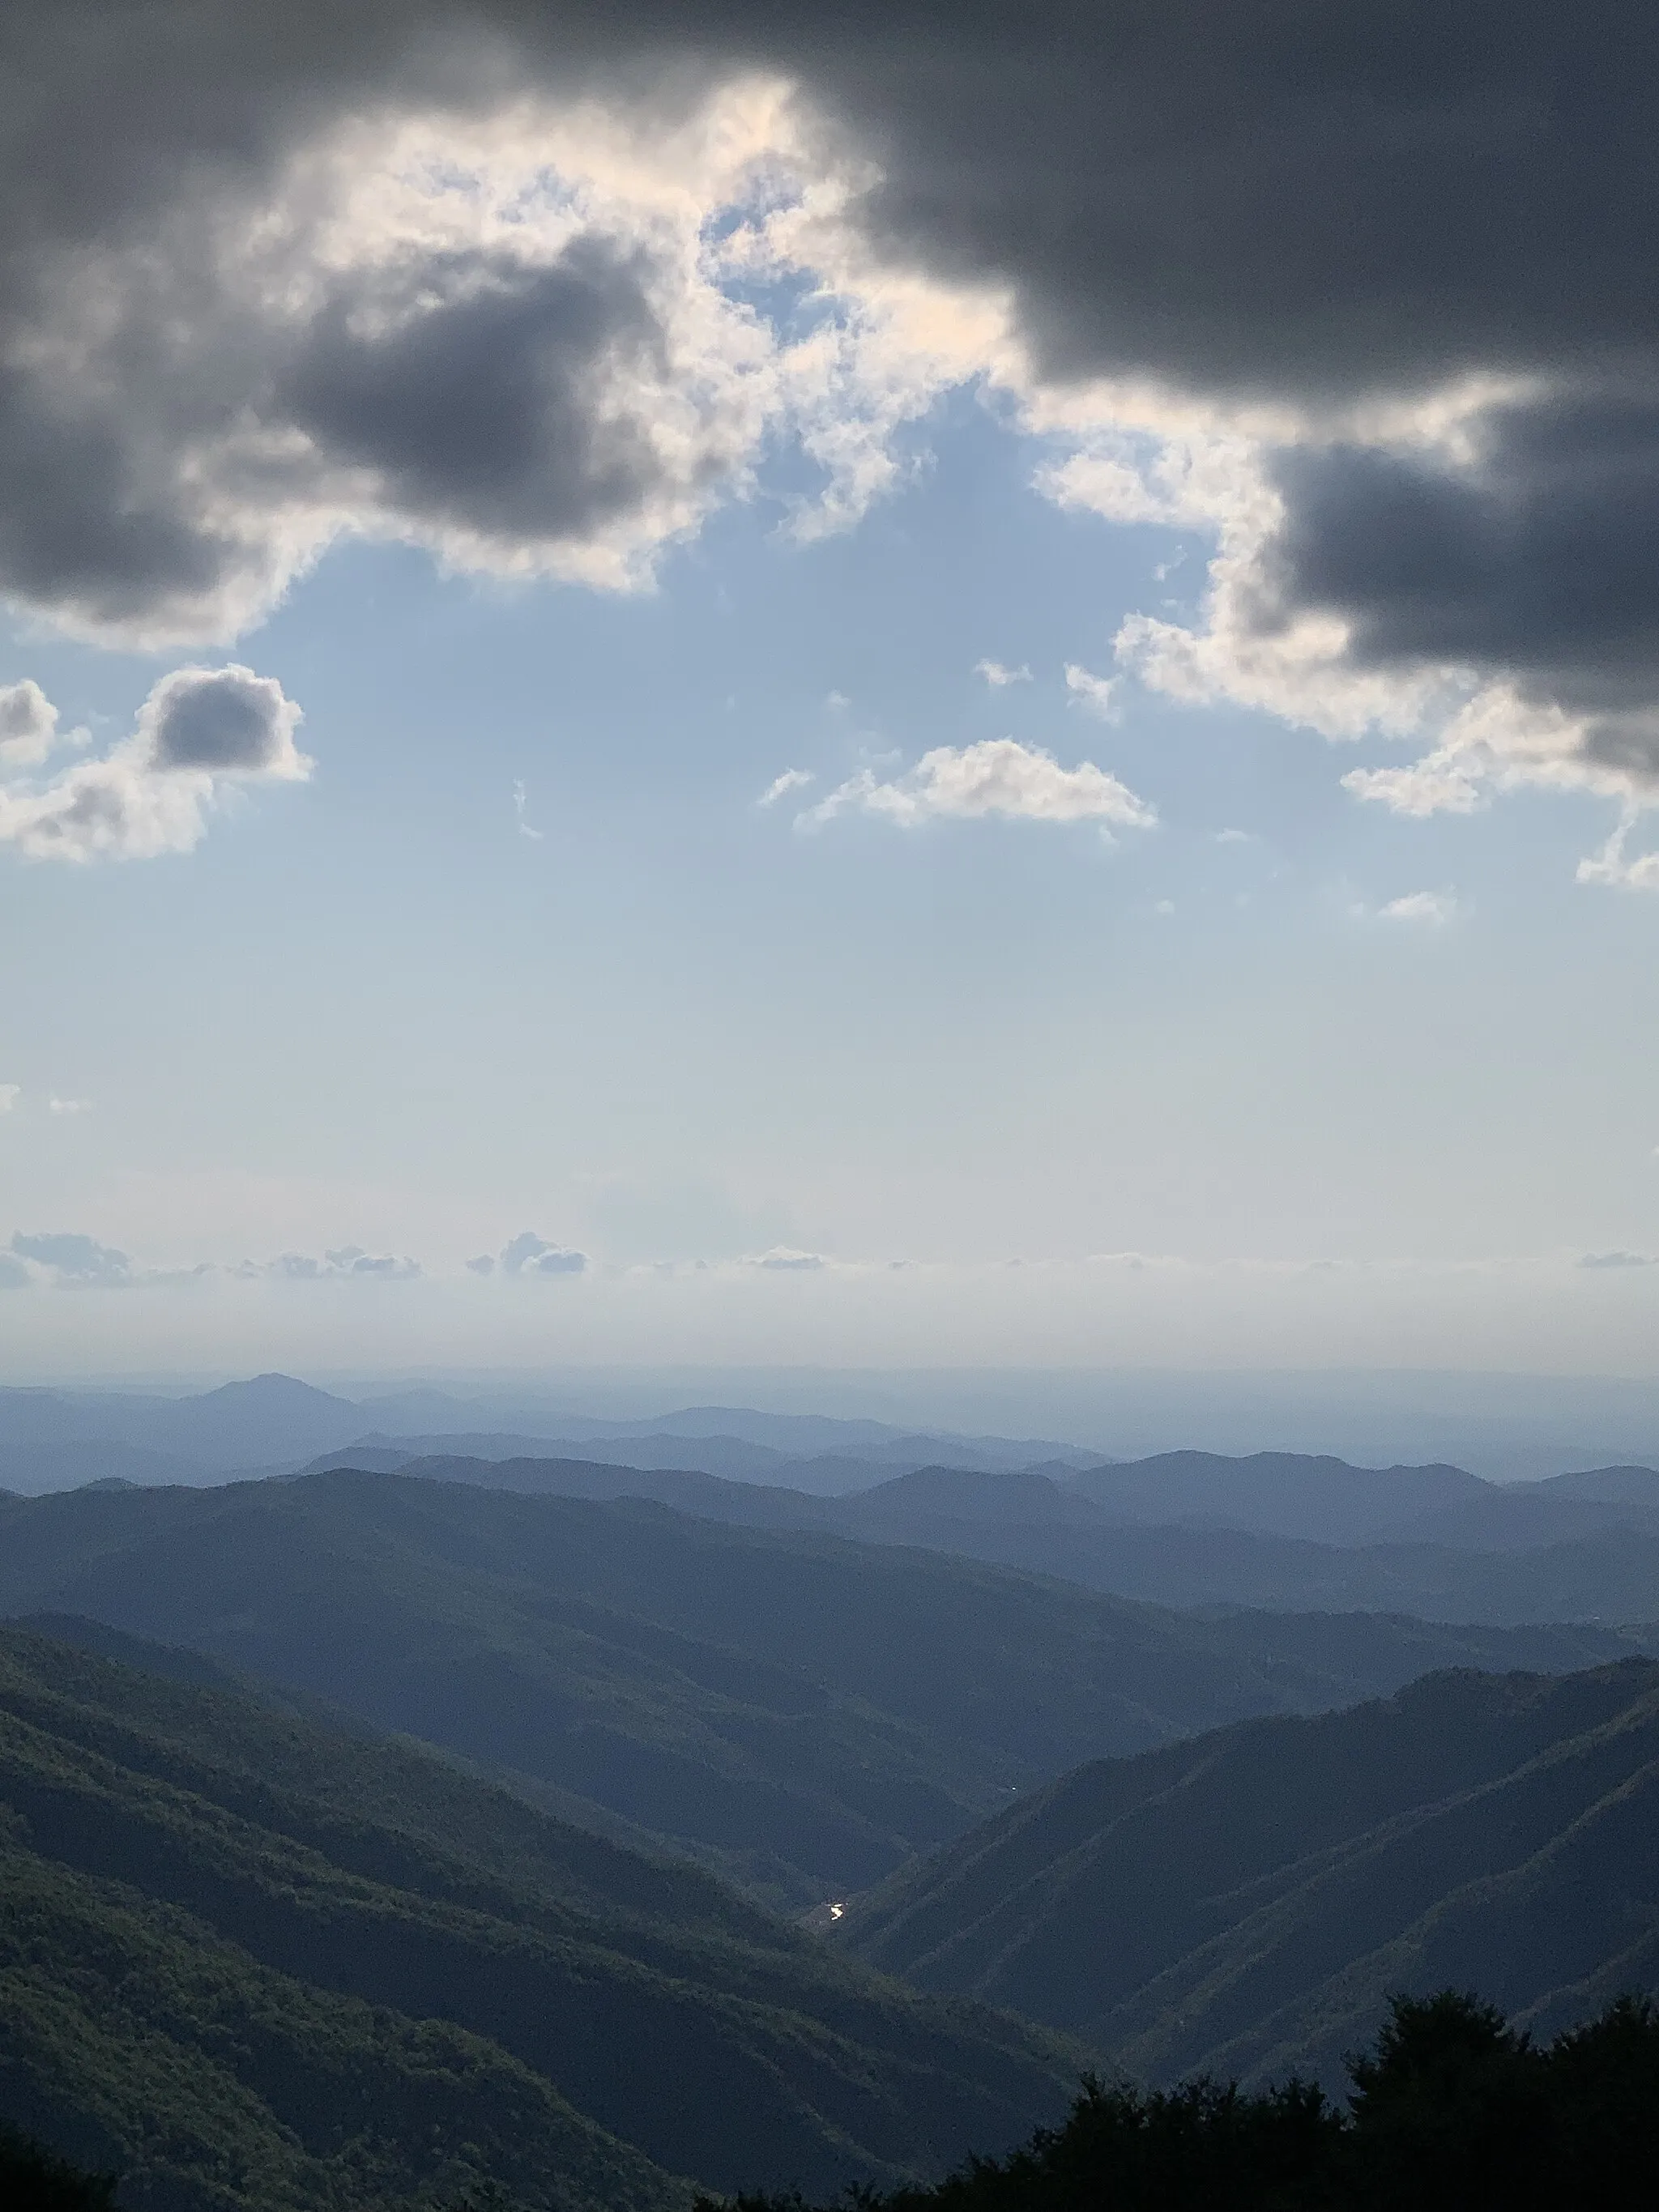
1235 1532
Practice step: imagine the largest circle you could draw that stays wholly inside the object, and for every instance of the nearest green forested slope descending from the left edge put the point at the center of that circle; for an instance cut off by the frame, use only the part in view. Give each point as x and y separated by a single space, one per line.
258 1963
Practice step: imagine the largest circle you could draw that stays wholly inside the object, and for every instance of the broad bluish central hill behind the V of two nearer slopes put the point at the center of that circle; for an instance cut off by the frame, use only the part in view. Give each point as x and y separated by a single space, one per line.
802 1711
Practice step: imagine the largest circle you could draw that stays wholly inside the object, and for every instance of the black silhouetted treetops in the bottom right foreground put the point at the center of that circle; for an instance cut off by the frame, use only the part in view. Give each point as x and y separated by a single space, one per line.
1450 2111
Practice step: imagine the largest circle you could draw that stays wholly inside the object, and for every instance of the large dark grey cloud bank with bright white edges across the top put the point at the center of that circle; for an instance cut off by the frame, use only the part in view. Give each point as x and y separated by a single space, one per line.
1361 295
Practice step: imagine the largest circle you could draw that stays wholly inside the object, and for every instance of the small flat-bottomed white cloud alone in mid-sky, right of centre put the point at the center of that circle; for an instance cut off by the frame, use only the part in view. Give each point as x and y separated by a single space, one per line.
997 778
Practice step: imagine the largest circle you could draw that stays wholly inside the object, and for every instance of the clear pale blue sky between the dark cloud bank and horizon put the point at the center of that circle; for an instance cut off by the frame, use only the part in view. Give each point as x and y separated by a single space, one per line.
1238 1067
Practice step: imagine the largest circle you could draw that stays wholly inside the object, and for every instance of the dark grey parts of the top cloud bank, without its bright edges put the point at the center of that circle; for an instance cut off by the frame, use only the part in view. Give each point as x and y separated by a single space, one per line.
1275 202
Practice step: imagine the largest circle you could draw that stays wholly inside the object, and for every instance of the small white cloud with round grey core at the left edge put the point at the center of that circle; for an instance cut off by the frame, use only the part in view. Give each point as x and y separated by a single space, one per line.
200 735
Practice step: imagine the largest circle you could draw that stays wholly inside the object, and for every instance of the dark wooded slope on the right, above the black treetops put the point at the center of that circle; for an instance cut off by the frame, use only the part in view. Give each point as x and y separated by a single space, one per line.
1249 1901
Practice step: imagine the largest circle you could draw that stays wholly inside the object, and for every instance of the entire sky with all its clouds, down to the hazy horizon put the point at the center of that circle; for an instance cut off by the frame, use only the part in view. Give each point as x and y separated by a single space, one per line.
906 687
